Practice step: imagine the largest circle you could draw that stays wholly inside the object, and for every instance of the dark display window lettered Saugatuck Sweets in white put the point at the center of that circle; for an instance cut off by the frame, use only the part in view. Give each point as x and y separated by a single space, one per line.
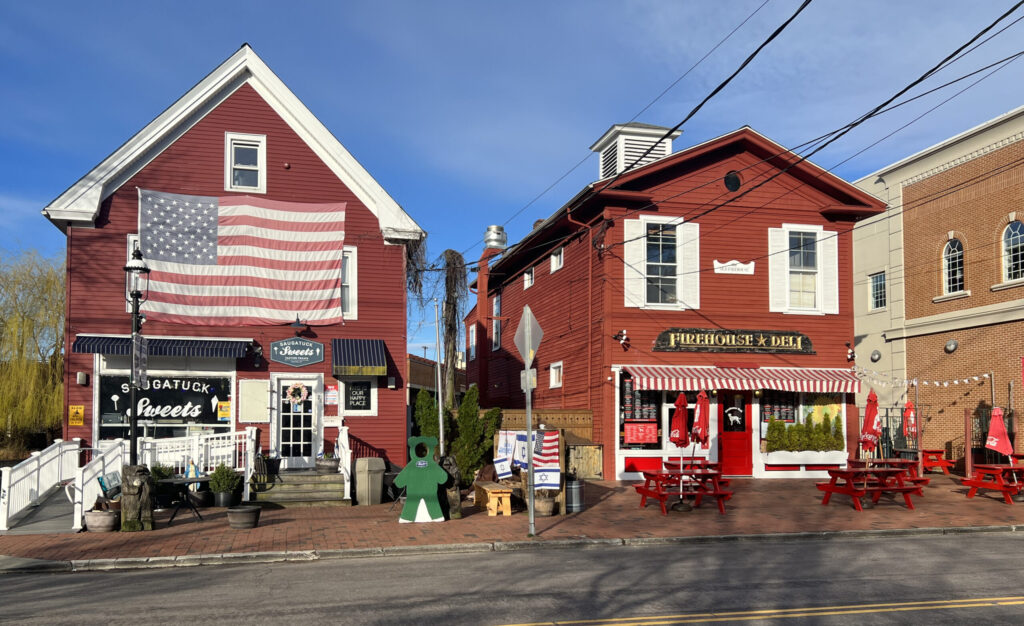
167 401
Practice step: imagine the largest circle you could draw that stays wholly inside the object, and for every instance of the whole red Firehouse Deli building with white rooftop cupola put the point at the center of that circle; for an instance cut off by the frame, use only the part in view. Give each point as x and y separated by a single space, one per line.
724 269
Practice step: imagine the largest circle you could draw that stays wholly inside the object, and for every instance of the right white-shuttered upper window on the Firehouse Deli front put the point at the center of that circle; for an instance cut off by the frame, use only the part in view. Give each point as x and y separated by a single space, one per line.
803 270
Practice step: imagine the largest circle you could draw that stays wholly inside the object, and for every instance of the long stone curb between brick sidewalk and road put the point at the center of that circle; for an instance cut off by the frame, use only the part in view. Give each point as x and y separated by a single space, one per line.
24 566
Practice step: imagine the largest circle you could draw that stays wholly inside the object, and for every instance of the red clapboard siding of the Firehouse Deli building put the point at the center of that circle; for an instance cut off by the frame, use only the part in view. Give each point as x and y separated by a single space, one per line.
582 307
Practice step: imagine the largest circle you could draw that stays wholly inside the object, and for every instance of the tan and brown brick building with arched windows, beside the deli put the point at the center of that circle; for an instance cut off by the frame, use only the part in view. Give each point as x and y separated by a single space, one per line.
951 252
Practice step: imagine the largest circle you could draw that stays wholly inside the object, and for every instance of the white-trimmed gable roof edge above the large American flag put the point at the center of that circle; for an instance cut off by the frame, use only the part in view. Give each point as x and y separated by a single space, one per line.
80 204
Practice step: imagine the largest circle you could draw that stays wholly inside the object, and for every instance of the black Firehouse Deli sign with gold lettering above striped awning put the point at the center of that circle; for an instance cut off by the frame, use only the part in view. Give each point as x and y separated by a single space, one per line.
726 341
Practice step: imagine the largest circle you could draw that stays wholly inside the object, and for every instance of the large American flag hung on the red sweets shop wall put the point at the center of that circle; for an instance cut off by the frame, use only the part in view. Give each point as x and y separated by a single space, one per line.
241 261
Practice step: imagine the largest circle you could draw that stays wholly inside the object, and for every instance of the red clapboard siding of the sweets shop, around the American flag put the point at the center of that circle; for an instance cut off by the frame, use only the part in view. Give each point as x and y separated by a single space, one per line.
195 164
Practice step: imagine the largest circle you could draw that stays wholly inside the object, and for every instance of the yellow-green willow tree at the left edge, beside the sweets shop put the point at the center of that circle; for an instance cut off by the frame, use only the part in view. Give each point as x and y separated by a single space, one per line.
32 318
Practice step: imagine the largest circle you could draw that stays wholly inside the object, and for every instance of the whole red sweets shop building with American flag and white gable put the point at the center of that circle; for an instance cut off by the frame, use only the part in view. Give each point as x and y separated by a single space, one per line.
277 263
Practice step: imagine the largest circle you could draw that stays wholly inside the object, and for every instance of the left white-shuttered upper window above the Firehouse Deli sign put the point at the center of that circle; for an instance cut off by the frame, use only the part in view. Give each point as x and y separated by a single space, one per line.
662 263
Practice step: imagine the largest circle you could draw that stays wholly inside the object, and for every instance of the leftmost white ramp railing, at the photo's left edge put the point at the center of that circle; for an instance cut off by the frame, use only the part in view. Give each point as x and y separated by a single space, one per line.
24 485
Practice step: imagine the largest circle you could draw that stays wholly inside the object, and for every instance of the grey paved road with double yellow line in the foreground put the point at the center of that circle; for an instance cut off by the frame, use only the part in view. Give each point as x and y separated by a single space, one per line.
846 581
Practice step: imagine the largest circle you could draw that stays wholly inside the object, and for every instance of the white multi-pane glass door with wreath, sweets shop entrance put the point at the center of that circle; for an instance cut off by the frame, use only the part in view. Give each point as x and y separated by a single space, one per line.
300 427
